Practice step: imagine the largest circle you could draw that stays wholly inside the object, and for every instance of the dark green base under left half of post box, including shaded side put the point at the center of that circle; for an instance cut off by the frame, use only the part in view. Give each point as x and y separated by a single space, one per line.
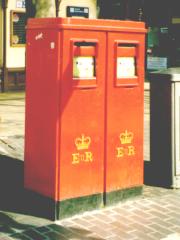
45 207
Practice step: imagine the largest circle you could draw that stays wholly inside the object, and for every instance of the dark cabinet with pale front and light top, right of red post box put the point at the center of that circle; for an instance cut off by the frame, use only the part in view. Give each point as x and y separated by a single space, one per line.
165 139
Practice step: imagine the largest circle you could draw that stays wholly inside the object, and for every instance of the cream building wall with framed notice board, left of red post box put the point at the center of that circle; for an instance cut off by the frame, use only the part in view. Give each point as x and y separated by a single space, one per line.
12 45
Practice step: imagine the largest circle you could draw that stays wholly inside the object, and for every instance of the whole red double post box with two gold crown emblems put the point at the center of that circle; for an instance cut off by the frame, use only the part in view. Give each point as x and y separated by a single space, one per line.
84 111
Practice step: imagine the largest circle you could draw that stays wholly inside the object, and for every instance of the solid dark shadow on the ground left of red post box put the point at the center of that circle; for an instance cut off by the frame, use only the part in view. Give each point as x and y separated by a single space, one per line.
14 197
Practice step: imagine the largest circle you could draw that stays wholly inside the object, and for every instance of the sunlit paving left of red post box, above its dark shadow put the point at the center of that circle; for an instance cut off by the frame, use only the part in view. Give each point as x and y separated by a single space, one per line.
12 113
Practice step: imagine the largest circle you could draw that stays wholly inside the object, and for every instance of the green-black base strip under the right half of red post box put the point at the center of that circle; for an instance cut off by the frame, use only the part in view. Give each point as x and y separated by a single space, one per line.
122 194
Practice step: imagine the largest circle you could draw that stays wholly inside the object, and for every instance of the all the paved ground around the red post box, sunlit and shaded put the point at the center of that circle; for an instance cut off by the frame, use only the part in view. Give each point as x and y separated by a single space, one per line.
154 215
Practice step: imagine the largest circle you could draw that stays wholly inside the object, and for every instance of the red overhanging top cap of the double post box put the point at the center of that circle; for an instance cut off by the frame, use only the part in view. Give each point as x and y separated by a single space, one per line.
86 24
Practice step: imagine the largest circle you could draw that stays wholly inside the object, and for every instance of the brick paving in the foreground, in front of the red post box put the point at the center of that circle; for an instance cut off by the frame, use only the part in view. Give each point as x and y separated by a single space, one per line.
154 215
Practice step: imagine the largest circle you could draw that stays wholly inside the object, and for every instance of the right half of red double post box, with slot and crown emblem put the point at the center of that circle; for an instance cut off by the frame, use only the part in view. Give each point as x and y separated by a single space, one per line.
124 155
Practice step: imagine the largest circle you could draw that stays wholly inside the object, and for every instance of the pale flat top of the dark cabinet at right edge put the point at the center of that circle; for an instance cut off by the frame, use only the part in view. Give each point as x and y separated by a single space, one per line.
170 74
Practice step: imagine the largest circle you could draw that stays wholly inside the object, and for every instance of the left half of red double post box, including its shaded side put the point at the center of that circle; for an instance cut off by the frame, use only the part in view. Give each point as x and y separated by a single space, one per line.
64 140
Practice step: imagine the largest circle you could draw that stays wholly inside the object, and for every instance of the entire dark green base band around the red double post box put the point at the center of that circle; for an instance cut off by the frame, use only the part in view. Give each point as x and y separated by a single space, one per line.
45 207
